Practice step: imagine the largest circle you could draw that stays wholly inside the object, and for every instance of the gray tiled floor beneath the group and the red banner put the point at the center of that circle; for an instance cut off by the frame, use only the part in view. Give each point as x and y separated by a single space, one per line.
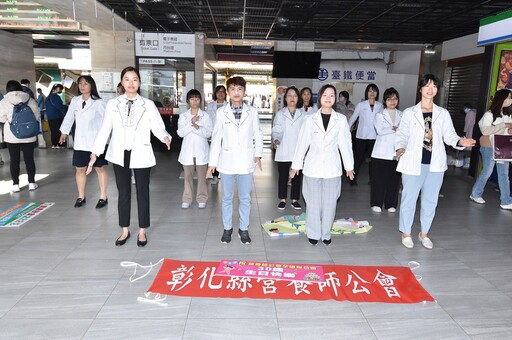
61 277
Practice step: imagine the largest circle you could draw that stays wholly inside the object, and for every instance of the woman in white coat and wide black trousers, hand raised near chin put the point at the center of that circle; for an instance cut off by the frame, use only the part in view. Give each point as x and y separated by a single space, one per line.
385 179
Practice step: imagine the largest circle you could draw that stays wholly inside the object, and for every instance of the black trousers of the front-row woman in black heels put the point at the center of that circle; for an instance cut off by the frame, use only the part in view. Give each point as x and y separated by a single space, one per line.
124 187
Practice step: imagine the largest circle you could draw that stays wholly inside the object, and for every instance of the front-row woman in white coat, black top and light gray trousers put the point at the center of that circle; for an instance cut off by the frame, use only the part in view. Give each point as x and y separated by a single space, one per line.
322 137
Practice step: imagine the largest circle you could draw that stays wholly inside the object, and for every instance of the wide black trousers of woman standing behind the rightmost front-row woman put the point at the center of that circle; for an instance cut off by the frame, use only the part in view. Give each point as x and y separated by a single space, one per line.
385 183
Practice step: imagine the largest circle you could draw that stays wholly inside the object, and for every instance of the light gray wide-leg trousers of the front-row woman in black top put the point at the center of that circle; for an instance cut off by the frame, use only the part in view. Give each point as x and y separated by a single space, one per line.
320 195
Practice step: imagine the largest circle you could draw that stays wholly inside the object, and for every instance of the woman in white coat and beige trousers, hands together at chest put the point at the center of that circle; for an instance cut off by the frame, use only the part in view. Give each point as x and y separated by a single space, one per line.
195 127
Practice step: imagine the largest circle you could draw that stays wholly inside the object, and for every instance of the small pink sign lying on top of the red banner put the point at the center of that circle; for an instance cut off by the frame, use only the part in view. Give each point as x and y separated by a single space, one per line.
272 270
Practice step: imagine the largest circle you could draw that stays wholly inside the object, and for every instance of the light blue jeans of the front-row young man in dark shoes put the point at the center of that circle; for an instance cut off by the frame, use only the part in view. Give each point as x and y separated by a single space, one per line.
244 185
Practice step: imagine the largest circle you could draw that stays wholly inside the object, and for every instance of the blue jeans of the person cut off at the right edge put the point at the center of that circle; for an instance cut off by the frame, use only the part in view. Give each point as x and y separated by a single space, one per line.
487 167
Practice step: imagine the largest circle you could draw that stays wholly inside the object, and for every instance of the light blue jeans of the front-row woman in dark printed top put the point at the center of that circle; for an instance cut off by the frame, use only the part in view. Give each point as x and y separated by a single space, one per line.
429 183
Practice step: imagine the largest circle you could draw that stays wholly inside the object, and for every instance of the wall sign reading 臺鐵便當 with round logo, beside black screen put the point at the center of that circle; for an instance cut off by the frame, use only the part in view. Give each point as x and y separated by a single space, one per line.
352 71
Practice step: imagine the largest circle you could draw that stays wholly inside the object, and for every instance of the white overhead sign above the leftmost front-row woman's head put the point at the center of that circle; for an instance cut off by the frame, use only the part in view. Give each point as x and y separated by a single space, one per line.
164 45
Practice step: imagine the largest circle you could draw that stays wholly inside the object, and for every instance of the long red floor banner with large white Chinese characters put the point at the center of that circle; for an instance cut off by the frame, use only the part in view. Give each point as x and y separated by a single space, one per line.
352 283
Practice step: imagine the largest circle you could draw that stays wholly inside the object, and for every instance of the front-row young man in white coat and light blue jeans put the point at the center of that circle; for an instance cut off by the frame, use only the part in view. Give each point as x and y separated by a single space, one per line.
236 150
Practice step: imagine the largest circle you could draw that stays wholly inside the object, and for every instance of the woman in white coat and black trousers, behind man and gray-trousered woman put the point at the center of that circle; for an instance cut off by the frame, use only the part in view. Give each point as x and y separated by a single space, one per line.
285 134
